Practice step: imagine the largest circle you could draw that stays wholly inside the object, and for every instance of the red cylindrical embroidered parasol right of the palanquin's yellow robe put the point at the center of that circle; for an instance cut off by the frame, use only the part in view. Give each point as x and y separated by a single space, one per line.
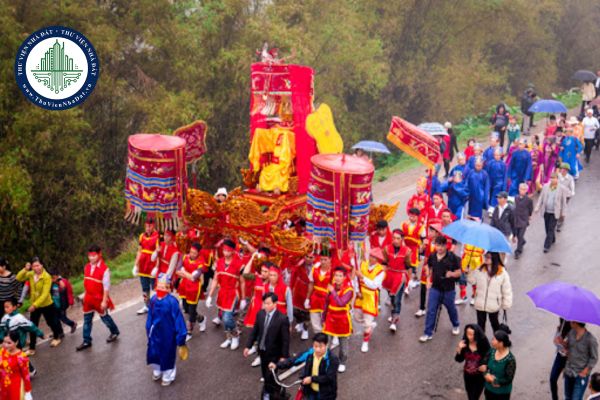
339 198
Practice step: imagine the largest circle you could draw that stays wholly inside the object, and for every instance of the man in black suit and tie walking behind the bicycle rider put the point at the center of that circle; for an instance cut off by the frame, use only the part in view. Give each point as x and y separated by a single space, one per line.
272 333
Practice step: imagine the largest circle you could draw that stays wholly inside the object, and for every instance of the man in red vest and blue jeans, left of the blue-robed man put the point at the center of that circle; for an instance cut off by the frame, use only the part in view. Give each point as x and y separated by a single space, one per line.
96 283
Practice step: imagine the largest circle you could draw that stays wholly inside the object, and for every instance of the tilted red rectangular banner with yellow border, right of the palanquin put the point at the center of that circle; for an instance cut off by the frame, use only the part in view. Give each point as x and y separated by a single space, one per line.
414 141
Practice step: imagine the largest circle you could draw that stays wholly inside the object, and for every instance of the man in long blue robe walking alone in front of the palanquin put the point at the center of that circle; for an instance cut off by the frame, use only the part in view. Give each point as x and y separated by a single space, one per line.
166 330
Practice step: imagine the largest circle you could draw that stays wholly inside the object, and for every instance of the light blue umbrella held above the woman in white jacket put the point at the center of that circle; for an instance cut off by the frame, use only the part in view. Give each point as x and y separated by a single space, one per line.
479 235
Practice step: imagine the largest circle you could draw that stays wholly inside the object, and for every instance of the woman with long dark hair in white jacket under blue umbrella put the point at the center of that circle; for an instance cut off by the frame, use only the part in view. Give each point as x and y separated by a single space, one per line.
494 291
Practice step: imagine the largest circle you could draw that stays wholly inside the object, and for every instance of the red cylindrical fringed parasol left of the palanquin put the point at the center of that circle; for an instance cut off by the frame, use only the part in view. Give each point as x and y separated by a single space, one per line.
156 179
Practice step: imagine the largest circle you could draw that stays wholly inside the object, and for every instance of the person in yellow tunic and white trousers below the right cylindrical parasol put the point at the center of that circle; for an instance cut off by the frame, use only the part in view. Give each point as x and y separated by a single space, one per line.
370 276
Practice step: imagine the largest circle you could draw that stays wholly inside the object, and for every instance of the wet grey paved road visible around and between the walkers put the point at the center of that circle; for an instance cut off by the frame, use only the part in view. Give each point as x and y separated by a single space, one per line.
397 366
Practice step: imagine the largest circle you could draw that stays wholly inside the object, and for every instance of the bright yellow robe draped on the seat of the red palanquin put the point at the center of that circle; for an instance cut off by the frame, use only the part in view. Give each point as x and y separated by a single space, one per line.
272 152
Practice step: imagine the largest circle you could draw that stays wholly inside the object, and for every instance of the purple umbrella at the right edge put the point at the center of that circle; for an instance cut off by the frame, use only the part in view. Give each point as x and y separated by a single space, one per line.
567 301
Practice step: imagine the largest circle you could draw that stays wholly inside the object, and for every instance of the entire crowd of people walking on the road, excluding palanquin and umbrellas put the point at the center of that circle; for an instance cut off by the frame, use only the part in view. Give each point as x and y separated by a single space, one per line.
326 292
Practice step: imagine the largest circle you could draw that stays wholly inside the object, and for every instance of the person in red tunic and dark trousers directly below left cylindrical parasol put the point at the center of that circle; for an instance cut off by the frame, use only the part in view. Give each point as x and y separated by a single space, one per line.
144 265
